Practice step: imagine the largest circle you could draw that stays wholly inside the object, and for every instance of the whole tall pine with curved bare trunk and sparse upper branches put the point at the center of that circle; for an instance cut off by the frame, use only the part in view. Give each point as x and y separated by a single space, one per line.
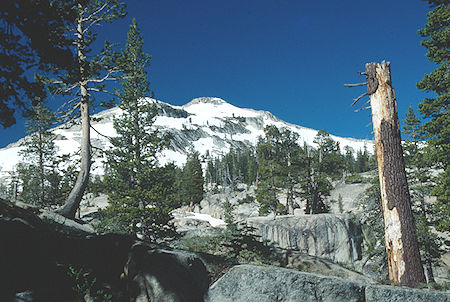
91 72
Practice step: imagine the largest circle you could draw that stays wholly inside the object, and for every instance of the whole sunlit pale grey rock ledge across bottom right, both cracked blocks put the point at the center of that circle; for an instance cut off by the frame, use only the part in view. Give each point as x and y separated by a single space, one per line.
250 283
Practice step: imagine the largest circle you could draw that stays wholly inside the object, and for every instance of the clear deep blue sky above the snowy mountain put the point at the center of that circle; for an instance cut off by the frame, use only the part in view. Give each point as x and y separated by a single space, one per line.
289 57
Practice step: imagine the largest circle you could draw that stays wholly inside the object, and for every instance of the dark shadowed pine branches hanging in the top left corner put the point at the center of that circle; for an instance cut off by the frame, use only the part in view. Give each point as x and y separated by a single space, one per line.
32 38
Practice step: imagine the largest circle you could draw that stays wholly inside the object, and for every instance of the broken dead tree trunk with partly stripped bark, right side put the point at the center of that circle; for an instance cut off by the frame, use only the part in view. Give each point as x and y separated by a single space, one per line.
404 263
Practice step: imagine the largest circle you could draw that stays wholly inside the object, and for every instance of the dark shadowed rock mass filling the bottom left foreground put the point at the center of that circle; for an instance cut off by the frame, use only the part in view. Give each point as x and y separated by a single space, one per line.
36 256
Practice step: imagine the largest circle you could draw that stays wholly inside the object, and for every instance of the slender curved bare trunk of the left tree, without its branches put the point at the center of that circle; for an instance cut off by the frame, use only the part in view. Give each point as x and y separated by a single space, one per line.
73 201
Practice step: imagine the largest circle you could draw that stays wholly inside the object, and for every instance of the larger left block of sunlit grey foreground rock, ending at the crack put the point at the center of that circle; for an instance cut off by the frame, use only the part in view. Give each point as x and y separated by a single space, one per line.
269 284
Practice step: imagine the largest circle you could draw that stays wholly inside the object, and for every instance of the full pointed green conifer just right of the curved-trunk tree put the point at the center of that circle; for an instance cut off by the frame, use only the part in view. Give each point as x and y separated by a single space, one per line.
137 195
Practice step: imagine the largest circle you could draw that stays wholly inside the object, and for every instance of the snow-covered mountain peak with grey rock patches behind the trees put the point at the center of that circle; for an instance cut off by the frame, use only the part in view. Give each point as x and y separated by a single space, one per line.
206 124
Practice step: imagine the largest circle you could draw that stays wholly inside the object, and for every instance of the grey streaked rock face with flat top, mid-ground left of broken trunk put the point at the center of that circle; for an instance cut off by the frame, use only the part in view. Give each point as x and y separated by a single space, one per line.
335 237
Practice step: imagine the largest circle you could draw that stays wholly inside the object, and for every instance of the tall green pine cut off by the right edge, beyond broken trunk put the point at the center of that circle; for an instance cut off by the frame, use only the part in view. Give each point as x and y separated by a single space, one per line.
437 128
